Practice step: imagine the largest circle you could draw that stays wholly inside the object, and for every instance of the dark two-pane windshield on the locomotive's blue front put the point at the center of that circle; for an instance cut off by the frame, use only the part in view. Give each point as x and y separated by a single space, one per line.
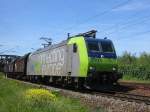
100 46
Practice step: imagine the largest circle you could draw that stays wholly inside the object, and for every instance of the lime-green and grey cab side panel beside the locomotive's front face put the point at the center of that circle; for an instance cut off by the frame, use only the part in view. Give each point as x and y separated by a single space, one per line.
80 59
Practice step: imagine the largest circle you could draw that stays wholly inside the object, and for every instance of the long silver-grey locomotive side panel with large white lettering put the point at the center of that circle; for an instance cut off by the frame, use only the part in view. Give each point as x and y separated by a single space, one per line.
49 62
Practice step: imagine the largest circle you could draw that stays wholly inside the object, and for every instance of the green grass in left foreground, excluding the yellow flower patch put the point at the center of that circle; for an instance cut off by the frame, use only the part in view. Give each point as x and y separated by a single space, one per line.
12 100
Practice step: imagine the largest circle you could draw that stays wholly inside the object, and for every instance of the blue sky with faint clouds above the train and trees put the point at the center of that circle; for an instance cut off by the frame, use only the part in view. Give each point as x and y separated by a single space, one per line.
23 22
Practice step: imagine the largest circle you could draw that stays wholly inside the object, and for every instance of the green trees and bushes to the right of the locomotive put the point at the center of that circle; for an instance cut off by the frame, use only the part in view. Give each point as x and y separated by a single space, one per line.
135 67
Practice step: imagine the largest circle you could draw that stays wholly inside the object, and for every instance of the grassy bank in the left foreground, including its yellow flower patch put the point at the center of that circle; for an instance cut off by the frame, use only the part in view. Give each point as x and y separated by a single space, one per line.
18 97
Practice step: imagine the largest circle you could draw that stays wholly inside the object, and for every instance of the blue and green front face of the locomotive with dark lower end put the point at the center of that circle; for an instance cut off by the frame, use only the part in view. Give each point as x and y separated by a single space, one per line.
102 67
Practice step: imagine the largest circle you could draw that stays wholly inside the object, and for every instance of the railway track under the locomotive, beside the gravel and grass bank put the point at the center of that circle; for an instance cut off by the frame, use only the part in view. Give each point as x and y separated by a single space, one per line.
109 94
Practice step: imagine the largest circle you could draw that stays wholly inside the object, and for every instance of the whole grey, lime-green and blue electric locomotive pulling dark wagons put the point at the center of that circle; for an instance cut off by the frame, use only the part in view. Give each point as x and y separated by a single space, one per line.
81 60
